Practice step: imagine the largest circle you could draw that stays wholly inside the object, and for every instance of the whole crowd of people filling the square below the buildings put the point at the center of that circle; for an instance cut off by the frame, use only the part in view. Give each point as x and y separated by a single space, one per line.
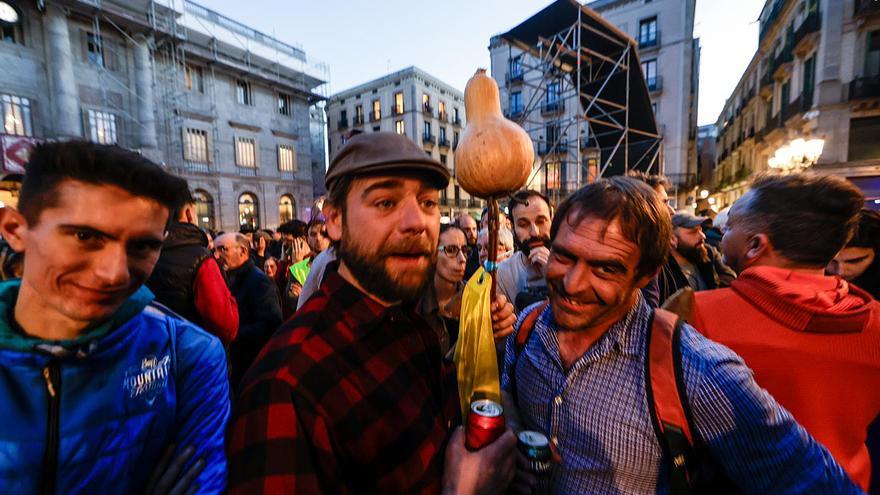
657 350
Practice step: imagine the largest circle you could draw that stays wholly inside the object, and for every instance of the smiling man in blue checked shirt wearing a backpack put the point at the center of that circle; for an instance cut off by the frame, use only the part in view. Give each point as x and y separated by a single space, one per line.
579 375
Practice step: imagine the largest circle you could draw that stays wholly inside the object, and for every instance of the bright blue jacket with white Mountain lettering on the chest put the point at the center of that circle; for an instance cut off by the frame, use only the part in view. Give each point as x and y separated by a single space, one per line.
95 414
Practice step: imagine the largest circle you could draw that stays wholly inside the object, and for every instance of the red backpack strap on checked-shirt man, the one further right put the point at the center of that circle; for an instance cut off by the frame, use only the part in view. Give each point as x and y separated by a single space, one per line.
666 398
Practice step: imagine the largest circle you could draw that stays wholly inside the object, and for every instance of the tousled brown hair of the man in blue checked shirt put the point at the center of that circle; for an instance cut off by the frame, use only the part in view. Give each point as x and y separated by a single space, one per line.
642 216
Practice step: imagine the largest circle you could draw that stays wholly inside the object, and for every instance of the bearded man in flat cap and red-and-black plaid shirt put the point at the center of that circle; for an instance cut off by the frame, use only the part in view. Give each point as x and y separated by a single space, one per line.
352 393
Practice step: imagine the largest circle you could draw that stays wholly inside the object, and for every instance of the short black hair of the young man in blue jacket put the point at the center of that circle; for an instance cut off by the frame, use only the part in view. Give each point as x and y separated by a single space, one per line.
52 163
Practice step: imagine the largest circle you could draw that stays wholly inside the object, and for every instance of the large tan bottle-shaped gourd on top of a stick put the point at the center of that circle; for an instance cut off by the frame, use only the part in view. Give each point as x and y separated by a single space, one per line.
495 155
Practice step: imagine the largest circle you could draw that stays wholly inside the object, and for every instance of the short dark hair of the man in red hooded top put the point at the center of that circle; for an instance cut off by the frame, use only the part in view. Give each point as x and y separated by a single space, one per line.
808 217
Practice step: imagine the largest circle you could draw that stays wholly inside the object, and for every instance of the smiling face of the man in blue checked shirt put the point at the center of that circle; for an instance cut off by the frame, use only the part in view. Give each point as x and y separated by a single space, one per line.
591 275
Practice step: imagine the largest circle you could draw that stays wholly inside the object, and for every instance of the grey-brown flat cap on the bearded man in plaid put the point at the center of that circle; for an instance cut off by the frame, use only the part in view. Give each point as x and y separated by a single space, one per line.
375 152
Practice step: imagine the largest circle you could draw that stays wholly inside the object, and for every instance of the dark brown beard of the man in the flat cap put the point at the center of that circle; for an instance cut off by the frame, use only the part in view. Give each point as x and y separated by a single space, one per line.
371 270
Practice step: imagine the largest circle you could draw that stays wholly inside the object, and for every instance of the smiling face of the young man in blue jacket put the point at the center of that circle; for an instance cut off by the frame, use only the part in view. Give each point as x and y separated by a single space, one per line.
82 262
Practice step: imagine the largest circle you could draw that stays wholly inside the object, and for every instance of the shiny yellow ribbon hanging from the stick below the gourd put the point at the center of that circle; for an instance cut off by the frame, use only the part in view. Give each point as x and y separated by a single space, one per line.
475 357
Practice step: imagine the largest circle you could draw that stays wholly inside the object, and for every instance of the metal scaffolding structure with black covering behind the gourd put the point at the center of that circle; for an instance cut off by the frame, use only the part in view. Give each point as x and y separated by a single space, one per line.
588 110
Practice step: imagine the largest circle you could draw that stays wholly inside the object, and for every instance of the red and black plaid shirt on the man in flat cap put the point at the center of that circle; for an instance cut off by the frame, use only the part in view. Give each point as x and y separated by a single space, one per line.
349 396
